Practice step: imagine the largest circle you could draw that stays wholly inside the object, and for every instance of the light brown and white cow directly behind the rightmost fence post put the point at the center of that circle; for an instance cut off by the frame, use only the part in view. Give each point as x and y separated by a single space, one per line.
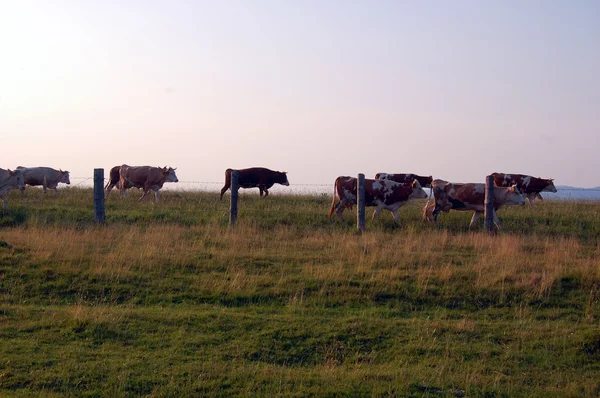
469 197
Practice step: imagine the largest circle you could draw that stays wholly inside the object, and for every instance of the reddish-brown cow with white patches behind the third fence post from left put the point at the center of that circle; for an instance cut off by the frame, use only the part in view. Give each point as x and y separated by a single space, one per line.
384 194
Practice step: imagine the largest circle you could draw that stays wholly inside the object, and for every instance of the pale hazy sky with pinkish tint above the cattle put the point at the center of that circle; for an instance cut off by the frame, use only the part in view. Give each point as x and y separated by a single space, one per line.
452 89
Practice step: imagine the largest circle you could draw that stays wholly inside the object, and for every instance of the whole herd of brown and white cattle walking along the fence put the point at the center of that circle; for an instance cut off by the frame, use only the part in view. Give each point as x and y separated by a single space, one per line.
385 192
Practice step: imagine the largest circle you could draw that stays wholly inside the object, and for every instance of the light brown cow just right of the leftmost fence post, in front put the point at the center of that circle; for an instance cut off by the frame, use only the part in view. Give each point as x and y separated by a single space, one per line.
145 177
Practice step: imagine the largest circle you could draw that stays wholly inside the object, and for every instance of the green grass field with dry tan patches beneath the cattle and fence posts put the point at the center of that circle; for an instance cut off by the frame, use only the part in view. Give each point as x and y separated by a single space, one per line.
167 300
